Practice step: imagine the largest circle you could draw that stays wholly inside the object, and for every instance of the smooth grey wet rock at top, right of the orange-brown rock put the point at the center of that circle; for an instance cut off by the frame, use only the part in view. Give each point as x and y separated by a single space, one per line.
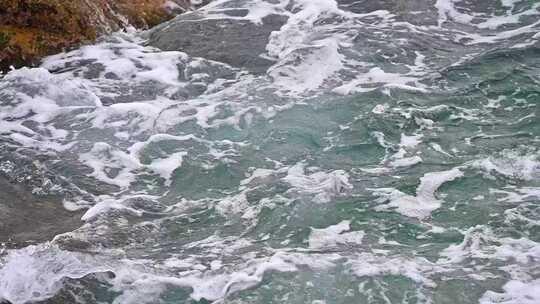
218 39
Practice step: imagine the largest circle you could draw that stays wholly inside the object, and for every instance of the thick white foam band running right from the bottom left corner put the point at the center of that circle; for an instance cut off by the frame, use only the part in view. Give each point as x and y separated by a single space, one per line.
36 273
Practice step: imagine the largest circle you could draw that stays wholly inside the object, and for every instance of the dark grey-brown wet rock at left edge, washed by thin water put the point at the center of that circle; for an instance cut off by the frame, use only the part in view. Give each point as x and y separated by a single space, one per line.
32 207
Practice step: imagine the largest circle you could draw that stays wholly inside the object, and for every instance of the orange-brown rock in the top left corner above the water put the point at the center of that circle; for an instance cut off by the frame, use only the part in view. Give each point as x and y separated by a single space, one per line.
31 29
